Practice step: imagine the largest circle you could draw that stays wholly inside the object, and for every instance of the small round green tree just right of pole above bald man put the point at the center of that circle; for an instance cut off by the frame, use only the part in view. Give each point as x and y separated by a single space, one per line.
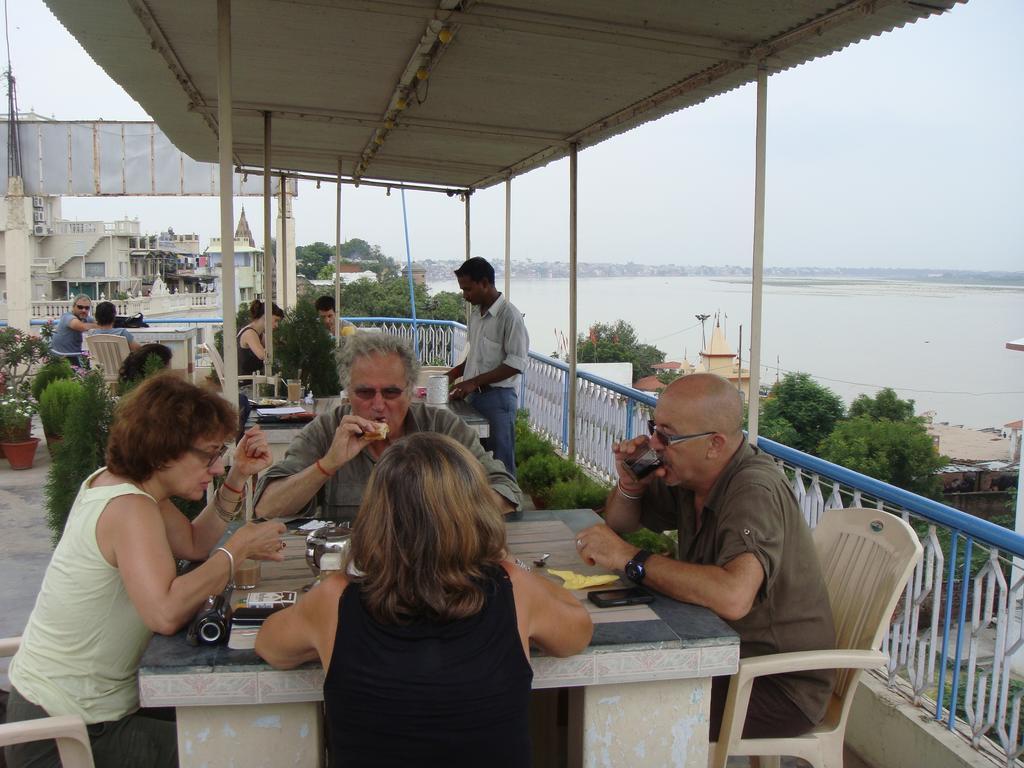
800 413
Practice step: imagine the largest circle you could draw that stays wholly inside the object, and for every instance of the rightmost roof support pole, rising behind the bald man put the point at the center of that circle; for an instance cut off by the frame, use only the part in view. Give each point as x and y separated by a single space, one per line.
757 272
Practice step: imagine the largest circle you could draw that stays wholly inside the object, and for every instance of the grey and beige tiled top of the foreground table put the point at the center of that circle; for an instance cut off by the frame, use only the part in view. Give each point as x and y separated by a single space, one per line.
664 641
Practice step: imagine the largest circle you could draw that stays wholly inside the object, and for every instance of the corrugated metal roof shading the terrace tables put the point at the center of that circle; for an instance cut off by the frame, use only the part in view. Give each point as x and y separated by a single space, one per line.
513 89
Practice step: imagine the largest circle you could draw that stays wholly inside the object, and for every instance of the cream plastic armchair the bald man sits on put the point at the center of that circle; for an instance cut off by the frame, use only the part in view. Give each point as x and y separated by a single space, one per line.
867 558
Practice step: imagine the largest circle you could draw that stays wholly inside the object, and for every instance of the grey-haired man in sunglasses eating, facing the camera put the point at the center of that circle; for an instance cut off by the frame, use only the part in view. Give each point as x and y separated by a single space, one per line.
329 462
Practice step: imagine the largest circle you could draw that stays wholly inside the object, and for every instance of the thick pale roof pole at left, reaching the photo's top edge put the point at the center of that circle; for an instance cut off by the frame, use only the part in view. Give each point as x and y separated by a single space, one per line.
225 152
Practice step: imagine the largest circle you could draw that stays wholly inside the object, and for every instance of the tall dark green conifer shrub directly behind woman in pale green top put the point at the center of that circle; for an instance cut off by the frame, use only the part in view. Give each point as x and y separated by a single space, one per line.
87 431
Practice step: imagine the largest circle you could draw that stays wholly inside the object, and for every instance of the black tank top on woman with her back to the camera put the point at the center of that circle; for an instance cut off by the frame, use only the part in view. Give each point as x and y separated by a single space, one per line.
425 695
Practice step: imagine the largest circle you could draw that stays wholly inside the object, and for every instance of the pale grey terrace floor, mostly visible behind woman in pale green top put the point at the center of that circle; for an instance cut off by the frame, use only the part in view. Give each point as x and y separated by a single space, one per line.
25 552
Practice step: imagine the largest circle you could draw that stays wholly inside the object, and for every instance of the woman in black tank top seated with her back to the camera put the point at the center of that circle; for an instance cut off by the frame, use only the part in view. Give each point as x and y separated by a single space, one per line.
428 654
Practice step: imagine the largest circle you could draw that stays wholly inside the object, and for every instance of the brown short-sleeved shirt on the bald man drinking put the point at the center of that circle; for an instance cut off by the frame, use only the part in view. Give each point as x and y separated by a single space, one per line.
752 509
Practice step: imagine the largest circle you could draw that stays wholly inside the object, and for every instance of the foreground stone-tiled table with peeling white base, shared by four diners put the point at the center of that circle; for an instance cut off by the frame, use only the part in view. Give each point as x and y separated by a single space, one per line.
642 689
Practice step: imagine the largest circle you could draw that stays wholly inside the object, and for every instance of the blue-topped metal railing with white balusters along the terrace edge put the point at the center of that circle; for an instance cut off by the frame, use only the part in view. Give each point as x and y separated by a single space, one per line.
988 610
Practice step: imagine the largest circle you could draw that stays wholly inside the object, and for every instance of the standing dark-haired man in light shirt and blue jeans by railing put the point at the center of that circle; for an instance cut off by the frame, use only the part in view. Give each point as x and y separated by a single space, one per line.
499 349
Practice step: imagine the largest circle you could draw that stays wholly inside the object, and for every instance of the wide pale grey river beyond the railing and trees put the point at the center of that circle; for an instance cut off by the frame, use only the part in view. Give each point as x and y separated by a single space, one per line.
942 346
